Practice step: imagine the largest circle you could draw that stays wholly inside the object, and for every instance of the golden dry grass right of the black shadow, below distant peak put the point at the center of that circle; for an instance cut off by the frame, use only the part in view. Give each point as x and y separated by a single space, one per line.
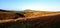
35 14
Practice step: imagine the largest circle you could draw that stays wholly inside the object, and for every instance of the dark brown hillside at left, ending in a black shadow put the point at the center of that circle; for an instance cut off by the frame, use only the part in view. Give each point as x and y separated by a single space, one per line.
5 14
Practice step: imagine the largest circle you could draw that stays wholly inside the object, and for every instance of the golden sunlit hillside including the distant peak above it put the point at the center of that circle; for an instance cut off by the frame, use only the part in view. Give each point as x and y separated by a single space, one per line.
33 13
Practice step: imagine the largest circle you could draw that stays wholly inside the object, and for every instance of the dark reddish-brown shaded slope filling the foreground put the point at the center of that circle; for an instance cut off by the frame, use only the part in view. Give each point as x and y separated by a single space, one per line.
52 21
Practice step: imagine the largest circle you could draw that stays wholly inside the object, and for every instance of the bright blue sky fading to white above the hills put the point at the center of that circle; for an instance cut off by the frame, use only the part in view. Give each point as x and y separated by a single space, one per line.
40 5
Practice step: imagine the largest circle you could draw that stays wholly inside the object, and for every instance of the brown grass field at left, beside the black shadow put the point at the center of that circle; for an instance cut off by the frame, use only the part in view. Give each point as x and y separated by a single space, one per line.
7 15
